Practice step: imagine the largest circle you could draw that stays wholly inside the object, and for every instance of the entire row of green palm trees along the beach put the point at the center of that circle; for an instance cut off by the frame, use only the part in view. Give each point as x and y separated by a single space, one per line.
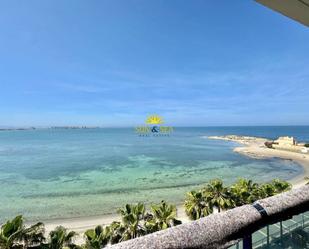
137 221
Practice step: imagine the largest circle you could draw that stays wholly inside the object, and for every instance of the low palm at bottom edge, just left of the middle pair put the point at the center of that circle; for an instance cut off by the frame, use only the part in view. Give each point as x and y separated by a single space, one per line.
97 238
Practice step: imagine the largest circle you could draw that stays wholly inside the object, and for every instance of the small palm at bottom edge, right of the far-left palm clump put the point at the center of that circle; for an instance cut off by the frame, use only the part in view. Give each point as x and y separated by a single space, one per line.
60 238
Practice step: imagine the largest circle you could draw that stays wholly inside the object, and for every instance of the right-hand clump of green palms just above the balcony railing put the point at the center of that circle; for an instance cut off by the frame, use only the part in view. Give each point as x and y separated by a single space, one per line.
200 203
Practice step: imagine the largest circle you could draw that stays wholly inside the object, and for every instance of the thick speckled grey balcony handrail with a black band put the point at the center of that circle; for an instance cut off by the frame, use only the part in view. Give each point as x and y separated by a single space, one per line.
228 228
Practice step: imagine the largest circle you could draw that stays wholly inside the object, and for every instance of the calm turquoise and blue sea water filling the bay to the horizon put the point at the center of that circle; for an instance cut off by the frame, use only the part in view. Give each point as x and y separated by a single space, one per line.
60 173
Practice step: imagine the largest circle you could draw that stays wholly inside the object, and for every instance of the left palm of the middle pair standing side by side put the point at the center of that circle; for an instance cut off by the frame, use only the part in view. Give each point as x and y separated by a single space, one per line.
132 221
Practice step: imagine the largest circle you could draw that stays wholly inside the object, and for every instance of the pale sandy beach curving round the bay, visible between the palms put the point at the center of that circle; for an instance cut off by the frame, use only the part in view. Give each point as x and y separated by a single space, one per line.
250 146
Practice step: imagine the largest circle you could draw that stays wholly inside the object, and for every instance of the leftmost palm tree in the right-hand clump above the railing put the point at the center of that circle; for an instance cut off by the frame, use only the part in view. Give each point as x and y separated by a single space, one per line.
196 205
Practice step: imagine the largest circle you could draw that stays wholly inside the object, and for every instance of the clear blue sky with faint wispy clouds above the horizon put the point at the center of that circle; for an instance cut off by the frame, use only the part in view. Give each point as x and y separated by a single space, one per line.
112 63
